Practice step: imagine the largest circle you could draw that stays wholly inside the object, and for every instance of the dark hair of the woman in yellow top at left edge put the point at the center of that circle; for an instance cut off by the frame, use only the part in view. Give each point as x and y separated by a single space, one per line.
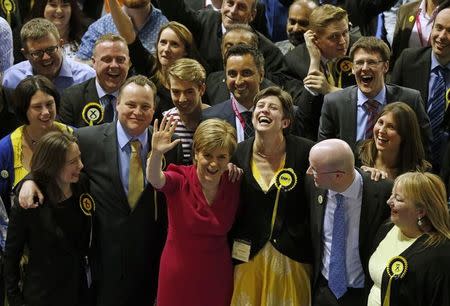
27 88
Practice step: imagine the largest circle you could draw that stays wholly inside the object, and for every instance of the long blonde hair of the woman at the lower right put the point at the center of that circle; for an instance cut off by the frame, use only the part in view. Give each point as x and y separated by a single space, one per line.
427 192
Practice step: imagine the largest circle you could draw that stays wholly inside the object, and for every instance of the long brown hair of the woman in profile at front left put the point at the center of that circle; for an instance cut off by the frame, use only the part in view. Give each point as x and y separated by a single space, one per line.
48 160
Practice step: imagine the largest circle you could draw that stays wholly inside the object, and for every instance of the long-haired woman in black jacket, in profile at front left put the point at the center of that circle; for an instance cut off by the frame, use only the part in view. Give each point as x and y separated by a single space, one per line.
56 234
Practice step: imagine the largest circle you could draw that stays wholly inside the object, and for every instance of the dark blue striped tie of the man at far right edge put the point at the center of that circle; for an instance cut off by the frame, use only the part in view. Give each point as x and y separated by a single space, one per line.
436 111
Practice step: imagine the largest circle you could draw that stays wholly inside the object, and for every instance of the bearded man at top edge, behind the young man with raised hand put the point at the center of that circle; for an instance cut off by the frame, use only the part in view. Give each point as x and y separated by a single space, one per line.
297 24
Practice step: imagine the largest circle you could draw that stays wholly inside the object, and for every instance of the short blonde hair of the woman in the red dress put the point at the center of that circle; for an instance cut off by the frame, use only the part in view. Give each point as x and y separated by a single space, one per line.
213 134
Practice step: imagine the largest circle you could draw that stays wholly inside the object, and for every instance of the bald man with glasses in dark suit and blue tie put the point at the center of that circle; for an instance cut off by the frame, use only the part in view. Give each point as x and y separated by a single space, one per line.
346 209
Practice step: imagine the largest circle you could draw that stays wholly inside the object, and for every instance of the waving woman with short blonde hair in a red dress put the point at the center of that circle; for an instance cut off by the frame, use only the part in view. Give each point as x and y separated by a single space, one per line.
196 266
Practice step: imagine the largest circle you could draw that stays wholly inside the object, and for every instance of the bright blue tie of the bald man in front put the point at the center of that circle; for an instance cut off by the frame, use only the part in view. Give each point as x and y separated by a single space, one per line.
337 277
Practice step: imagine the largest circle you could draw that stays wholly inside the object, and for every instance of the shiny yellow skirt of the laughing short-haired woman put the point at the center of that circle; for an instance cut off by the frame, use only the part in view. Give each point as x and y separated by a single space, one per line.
272 278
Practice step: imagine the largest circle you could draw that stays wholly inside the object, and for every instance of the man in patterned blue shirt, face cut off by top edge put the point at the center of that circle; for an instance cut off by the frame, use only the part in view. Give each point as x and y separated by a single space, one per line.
147 20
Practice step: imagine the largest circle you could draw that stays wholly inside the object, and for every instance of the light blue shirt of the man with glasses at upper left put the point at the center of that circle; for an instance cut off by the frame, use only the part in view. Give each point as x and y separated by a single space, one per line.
71 73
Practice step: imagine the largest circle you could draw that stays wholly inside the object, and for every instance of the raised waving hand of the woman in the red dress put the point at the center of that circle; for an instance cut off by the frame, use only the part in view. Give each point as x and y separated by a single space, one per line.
162 135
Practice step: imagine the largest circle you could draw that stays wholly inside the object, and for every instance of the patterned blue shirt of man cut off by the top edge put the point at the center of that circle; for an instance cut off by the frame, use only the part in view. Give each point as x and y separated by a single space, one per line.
148 34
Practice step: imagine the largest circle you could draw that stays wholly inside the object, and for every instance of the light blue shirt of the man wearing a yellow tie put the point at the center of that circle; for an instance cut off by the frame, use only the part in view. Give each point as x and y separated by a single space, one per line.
124 153
